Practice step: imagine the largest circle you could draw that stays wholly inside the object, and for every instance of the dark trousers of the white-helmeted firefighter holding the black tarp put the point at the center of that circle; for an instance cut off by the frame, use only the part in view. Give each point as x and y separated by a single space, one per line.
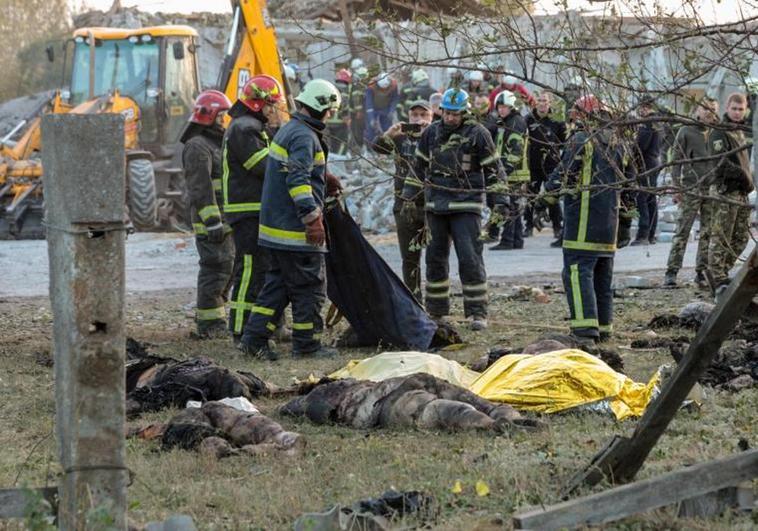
293 277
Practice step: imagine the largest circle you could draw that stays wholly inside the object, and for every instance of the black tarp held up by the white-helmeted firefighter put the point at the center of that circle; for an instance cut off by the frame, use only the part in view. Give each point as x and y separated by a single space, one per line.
379 307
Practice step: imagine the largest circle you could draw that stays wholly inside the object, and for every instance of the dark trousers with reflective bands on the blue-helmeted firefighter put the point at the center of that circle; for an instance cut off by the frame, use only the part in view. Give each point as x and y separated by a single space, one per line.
463 230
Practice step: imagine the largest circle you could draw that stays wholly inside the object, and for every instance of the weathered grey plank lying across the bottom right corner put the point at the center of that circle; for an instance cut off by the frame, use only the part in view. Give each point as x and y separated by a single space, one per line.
642 496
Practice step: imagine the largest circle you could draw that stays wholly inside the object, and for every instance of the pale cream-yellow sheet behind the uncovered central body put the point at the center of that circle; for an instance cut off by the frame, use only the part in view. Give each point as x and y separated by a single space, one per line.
393 364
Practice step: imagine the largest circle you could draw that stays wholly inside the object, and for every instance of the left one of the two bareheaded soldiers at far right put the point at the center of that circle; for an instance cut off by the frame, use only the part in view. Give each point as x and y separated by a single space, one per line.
692 180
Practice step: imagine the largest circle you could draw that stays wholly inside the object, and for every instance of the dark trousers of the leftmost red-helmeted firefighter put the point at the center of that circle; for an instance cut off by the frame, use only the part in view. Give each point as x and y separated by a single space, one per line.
216 260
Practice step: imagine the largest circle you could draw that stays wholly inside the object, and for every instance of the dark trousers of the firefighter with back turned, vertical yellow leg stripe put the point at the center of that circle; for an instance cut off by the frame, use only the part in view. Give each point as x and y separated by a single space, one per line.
587 280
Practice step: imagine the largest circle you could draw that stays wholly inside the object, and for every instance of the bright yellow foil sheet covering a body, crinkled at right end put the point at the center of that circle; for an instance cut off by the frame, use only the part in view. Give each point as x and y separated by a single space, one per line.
560 380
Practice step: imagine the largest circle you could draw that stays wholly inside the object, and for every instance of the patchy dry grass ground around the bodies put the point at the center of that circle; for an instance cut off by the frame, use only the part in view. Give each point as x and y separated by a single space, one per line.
342 465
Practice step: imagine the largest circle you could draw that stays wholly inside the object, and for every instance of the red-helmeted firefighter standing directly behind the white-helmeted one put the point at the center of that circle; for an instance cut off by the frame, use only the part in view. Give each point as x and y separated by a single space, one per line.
246 147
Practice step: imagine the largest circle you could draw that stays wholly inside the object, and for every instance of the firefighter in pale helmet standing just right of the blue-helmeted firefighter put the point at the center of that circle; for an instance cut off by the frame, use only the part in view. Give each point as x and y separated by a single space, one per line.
509 134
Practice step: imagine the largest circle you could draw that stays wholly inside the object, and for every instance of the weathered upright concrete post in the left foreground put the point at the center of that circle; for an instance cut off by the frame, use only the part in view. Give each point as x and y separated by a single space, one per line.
84 166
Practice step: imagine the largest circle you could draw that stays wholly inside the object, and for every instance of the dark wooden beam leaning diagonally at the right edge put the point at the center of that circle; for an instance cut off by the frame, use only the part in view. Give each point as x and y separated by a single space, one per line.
621 459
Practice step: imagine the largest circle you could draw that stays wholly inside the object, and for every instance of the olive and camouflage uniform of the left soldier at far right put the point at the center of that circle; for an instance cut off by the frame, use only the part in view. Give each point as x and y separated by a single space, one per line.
693 179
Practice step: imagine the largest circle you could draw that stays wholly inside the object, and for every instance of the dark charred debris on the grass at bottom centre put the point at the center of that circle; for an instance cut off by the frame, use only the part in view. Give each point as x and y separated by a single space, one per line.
372 514
